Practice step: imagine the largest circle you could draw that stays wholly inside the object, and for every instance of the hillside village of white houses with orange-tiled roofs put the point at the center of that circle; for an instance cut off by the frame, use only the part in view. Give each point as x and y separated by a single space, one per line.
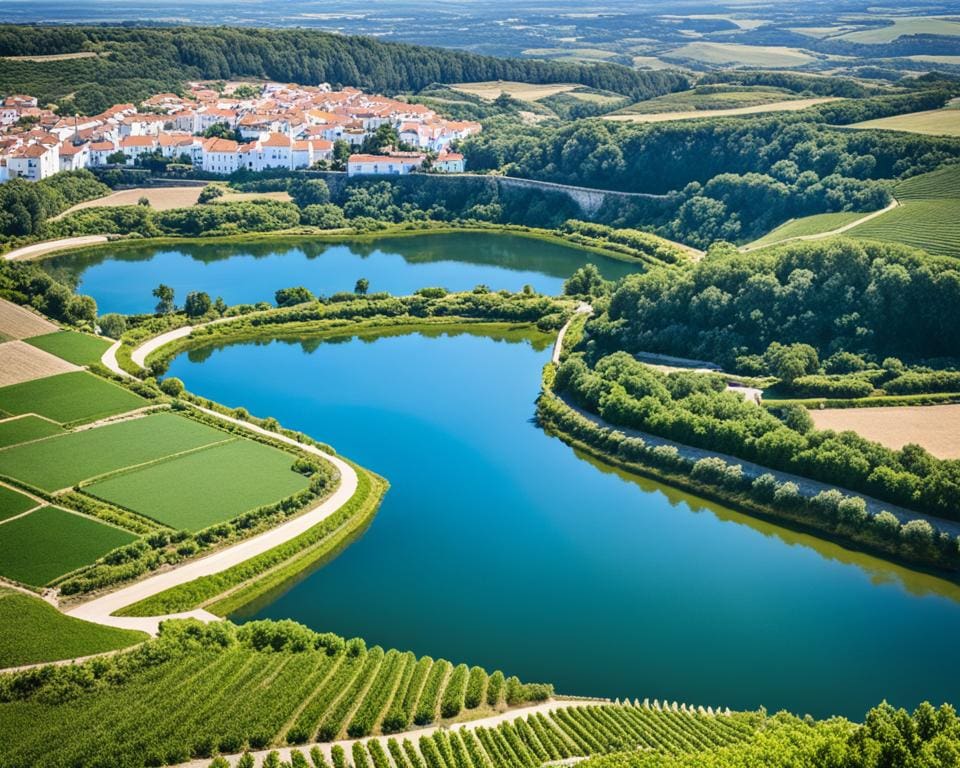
236 127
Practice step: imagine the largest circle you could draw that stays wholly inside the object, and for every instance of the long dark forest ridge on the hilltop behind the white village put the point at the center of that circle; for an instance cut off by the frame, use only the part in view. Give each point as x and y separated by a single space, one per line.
136 61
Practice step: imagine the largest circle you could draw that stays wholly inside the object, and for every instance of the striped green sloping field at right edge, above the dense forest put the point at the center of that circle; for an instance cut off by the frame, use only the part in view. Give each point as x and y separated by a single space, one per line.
928 217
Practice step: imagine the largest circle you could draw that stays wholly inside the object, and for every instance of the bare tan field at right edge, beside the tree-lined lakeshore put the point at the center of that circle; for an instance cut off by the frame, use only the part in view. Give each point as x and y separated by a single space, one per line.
935 427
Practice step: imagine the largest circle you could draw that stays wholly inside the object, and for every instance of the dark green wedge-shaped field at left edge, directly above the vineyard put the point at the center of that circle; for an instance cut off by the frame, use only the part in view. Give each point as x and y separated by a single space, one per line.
33 631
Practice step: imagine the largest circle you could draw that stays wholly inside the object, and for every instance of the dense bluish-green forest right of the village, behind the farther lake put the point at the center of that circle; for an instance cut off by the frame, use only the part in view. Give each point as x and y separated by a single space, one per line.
728 178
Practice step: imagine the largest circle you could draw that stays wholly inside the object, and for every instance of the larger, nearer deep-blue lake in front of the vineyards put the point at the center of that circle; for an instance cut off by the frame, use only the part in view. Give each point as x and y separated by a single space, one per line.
499 545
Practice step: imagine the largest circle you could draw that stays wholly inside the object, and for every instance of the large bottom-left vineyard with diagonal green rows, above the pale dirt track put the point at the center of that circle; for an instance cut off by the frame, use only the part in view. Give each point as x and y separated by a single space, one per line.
199 690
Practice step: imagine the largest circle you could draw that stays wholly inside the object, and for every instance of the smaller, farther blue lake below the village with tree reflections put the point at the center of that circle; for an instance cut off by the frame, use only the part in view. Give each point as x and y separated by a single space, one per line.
122 279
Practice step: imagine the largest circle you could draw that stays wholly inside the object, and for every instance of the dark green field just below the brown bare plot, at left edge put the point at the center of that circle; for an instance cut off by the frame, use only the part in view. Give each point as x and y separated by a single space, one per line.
69 397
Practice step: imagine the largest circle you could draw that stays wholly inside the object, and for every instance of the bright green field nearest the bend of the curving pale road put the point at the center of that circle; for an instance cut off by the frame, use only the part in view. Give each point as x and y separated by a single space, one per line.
210 486
